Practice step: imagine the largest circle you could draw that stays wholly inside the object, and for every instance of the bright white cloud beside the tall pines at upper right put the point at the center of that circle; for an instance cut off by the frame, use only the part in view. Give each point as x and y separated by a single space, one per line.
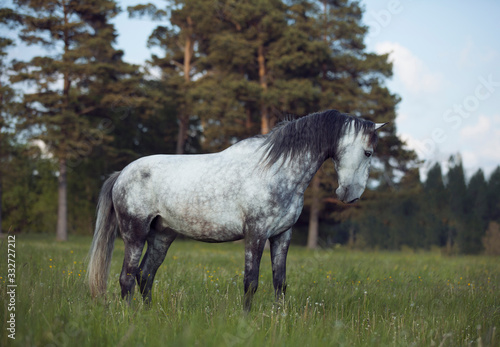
412 71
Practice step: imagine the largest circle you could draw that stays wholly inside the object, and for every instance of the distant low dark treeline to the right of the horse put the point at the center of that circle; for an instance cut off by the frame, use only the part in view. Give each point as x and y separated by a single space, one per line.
446 211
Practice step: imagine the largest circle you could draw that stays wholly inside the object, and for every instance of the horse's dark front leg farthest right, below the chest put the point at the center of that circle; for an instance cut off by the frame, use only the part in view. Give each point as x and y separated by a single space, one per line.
279 250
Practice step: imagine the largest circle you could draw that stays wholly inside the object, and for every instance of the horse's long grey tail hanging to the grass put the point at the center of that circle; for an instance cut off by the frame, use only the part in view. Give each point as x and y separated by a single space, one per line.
103 243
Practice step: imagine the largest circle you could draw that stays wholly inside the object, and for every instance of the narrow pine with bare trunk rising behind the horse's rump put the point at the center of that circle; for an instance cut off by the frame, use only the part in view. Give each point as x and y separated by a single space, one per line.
182 41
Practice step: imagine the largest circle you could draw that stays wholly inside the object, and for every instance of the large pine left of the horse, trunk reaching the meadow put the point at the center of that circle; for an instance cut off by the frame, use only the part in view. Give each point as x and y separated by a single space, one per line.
72 86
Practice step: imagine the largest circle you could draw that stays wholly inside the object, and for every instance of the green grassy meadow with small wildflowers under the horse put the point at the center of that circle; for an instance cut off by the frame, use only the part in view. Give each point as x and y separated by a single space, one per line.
334 297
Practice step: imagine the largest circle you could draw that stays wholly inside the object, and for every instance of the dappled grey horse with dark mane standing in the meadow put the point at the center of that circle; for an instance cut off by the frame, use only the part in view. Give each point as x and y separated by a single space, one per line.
253 190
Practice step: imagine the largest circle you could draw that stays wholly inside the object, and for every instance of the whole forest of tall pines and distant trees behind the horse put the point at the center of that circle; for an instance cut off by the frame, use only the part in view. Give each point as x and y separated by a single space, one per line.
227 70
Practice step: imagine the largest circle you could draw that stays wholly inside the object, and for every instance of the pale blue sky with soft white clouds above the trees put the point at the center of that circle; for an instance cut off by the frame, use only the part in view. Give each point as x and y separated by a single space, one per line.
446 64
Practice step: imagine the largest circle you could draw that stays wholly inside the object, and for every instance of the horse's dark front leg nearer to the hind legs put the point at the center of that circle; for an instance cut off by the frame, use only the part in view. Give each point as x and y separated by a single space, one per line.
254 246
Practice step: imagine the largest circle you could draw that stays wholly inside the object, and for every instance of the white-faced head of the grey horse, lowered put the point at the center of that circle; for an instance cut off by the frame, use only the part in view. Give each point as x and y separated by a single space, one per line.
352 161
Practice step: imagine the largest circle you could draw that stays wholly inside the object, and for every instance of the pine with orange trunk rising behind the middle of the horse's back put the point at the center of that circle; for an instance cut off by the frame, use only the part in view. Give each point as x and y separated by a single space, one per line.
238 95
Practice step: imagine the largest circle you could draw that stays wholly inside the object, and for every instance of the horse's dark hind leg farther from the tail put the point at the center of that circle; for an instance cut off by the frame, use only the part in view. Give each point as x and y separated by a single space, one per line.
158 244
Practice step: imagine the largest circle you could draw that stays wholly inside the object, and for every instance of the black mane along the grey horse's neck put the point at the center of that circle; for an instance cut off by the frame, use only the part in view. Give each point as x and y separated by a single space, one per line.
317 133
